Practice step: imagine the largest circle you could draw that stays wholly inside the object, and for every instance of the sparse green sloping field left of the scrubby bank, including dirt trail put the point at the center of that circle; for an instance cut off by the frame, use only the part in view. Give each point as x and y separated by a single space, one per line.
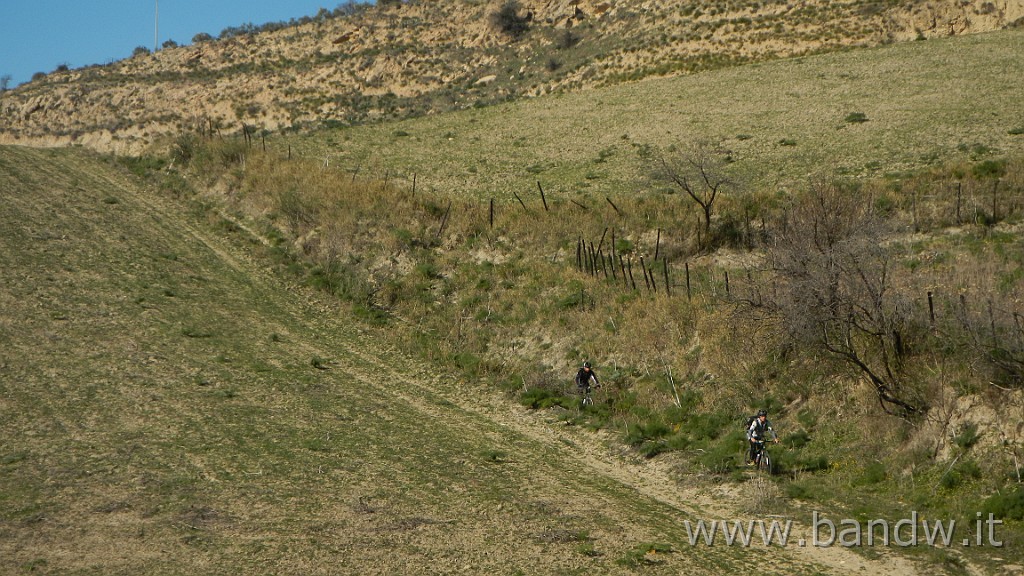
168 406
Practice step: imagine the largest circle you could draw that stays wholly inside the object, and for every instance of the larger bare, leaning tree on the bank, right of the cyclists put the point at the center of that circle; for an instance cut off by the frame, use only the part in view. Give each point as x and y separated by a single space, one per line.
836 291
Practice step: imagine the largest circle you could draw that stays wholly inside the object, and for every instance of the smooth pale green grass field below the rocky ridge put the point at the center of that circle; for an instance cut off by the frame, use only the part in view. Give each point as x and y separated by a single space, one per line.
860 113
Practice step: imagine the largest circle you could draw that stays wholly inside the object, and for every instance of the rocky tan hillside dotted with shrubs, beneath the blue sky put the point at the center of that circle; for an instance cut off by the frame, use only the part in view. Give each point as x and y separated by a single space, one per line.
426 57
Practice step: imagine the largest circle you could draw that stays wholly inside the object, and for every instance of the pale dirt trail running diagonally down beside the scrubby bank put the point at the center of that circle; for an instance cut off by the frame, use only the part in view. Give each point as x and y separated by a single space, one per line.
470 406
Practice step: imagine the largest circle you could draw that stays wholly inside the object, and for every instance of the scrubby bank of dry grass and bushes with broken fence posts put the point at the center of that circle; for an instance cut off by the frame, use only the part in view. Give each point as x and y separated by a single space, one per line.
865 316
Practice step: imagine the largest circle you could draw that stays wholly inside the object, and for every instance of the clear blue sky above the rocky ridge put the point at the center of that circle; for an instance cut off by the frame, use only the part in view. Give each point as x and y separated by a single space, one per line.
39 35
